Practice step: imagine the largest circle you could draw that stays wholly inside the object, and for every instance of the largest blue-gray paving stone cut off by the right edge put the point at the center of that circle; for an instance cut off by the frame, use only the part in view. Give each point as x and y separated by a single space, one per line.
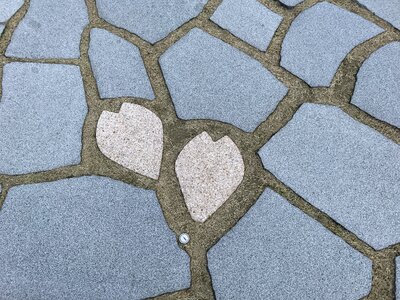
343 167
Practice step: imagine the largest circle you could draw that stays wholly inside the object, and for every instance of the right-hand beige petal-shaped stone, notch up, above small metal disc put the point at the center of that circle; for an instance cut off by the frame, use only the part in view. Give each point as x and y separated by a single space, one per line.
208 173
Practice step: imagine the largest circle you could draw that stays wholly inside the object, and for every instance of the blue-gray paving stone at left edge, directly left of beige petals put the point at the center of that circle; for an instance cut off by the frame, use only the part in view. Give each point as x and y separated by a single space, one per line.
41 117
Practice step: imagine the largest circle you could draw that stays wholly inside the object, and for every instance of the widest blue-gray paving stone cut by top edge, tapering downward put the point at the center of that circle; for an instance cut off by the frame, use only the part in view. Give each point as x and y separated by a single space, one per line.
150 19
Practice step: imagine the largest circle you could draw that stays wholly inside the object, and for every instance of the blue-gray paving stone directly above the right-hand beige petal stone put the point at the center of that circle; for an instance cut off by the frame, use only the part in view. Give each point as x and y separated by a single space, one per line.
210 79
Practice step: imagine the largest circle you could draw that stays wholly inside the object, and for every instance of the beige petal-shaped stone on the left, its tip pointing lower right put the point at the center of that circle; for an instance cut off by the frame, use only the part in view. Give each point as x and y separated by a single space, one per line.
133 138
